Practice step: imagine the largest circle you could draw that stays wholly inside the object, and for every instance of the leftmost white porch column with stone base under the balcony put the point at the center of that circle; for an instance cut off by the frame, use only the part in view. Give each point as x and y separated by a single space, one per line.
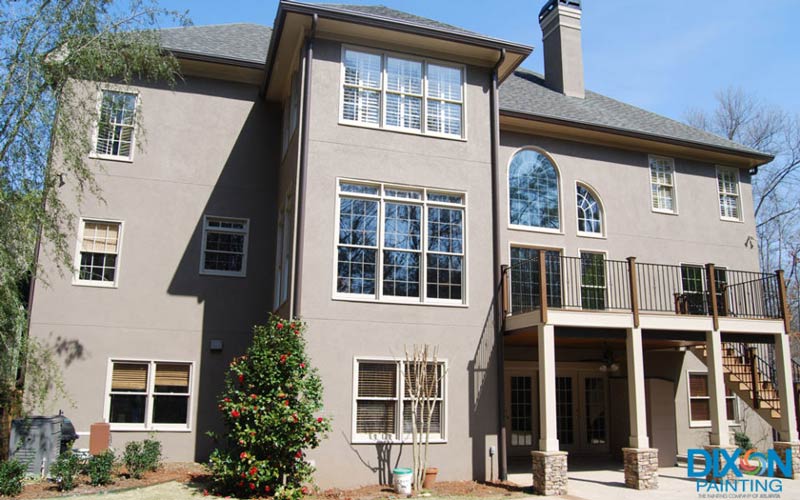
549 464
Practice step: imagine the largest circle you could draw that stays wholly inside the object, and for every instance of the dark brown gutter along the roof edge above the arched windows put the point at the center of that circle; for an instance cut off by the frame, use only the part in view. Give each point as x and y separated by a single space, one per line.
759 158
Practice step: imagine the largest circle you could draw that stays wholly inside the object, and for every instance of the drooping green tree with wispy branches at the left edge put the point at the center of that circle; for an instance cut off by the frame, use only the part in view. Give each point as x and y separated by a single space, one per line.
54 54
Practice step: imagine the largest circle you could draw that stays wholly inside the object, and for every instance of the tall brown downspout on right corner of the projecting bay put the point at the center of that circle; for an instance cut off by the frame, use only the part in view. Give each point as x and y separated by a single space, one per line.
502 463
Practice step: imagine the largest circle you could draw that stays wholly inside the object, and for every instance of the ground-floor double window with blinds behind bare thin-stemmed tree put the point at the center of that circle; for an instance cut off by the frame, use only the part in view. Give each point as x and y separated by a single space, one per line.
383 405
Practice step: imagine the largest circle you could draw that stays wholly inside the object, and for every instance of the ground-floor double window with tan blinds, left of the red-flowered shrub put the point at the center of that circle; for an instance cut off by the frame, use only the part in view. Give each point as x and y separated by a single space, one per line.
149 395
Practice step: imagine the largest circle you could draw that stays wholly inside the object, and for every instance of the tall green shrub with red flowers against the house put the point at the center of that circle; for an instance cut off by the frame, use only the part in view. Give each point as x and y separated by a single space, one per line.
270 406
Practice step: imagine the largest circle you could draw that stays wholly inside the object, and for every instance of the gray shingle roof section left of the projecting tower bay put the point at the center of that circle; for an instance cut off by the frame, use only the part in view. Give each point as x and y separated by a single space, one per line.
240 41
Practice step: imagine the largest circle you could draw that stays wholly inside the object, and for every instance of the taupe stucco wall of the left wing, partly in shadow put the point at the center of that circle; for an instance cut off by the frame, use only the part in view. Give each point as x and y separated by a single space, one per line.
206 152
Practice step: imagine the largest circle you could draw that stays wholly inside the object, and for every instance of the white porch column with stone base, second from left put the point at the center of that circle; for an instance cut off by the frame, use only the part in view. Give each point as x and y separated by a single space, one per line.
640 461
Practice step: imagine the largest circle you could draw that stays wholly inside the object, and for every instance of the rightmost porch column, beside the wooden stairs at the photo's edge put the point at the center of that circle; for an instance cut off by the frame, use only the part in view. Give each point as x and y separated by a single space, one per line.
788 423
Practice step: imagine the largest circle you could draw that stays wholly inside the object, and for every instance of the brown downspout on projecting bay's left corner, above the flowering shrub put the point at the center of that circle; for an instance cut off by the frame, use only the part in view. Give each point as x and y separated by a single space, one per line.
300 181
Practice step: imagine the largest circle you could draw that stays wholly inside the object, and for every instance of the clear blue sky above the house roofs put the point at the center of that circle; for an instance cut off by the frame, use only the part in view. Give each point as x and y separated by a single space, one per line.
664 56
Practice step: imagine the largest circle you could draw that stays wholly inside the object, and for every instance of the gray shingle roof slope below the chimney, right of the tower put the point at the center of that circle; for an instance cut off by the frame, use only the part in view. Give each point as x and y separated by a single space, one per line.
525 92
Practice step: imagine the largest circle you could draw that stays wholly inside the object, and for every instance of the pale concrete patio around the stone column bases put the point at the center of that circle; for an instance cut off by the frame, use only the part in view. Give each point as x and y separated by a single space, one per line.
603 479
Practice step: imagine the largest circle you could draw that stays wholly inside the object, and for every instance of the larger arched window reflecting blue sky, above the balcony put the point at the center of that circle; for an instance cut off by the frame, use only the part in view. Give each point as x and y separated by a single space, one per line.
533 190
